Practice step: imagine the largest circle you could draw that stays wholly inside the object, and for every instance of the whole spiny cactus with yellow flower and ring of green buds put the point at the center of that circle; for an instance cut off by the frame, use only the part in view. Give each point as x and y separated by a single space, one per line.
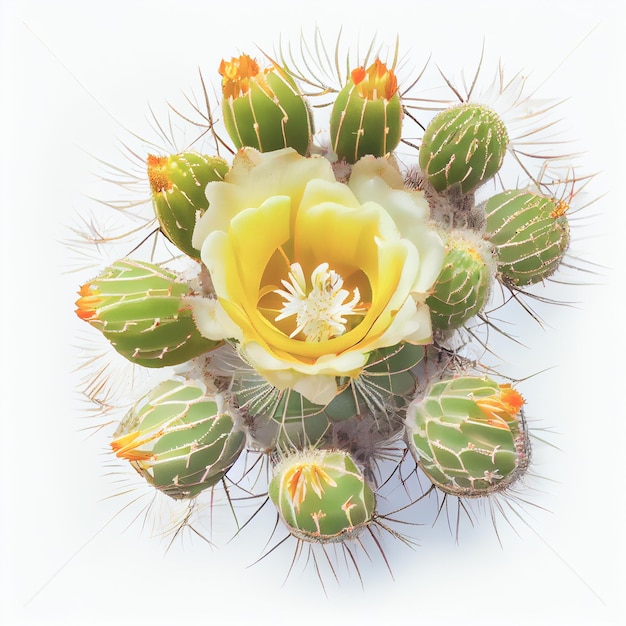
322 306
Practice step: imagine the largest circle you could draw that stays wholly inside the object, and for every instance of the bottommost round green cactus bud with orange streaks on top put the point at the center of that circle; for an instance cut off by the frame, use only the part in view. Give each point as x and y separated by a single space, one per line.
321 495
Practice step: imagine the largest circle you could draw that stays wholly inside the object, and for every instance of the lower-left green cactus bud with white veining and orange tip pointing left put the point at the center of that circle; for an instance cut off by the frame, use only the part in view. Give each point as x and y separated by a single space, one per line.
180 438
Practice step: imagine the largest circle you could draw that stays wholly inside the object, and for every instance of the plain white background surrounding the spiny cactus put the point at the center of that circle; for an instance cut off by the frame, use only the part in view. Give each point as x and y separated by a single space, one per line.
68 69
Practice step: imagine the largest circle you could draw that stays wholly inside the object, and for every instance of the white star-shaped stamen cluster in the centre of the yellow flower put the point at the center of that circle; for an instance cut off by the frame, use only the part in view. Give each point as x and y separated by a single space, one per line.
319 310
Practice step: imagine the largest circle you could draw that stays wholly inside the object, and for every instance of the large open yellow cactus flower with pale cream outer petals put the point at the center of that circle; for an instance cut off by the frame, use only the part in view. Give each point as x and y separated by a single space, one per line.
310 274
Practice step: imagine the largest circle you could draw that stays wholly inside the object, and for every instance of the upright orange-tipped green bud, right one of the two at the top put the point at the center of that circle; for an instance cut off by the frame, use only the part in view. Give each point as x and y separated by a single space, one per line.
367 114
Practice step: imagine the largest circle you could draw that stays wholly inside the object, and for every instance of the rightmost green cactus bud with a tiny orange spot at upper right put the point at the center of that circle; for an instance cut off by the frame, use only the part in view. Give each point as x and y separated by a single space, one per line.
530 233
